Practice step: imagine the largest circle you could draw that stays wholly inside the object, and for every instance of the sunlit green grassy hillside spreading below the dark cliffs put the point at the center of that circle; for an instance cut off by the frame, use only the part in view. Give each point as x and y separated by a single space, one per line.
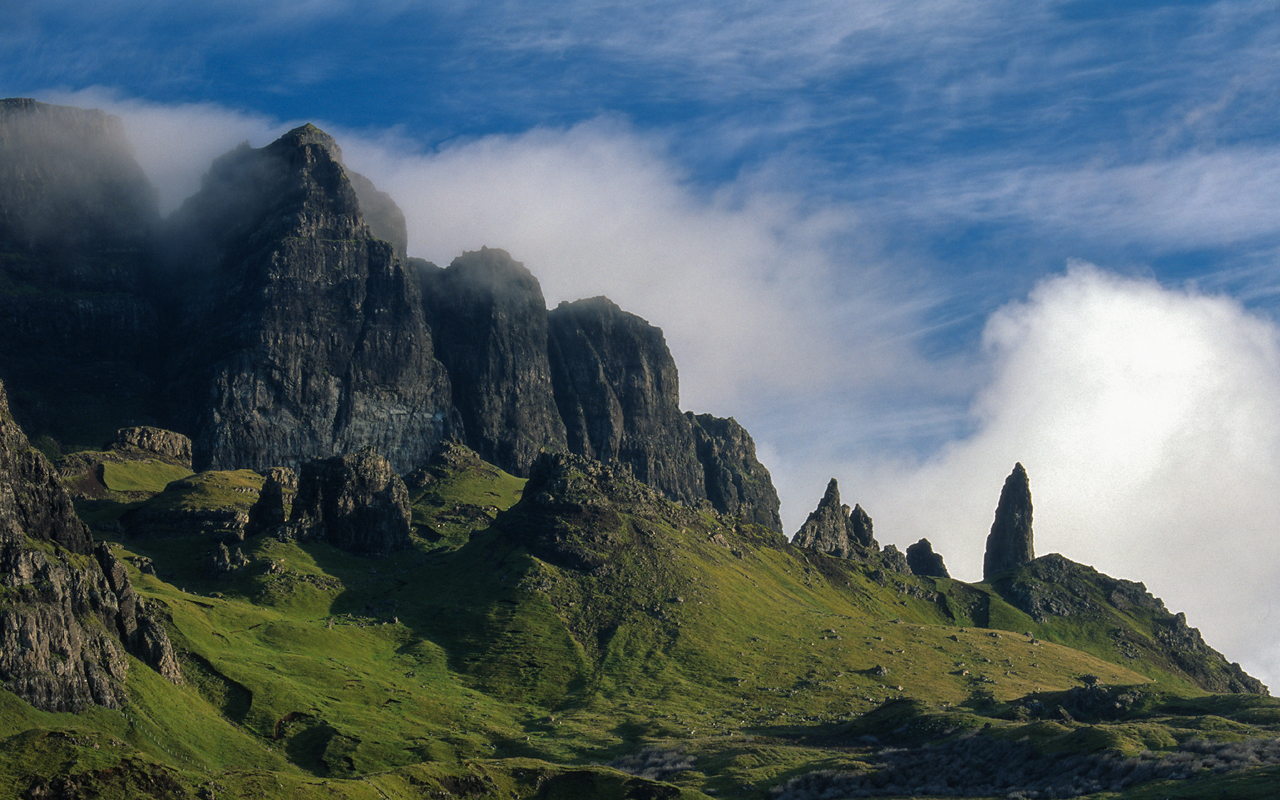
518 650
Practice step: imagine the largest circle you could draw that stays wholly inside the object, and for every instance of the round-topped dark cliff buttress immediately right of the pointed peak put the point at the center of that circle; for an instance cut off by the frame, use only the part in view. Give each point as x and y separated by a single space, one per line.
490 321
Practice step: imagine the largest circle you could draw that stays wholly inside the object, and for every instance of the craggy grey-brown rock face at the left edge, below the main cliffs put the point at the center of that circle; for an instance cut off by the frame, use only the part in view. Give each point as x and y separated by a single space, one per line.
66 607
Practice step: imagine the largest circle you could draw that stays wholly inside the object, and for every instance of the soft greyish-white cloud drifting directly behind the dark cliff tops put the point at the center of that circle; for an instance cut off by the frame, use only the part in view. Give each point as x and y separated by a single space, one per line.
743 282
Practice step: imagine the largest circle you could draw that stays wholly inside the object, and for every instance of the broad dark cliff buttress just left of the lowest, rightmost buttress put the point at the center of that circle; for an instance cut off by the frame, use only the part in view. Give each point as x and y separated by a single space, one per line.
619 395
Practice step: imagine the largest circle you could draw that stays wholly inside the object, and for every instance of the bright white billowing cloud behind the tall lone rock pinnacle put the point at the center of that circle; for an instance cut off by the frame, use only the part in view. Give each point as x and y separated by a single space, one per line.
1149 420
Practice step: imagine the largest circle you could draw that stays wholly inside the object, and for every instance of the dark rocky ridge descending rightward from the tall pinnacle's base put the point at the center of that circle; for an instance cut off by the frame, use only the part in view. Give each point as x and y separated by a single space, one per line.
1054 587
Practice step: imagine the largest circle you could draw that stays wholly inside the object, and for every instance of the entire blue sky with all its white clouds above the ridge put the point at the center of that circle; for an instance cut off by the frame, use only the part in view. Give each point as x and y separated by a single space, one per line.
906 244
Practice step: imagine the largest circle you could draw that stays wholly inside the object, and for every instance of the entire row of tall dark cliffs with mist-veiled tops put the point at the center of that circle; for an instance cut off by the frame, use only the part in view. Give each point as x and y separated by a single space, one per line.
287 324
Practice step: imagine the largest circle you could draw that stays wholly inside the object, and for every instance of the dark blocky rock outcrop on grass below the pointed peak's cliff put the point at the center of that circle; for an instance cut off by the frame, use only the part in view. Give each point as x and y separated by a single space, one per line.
356 504
